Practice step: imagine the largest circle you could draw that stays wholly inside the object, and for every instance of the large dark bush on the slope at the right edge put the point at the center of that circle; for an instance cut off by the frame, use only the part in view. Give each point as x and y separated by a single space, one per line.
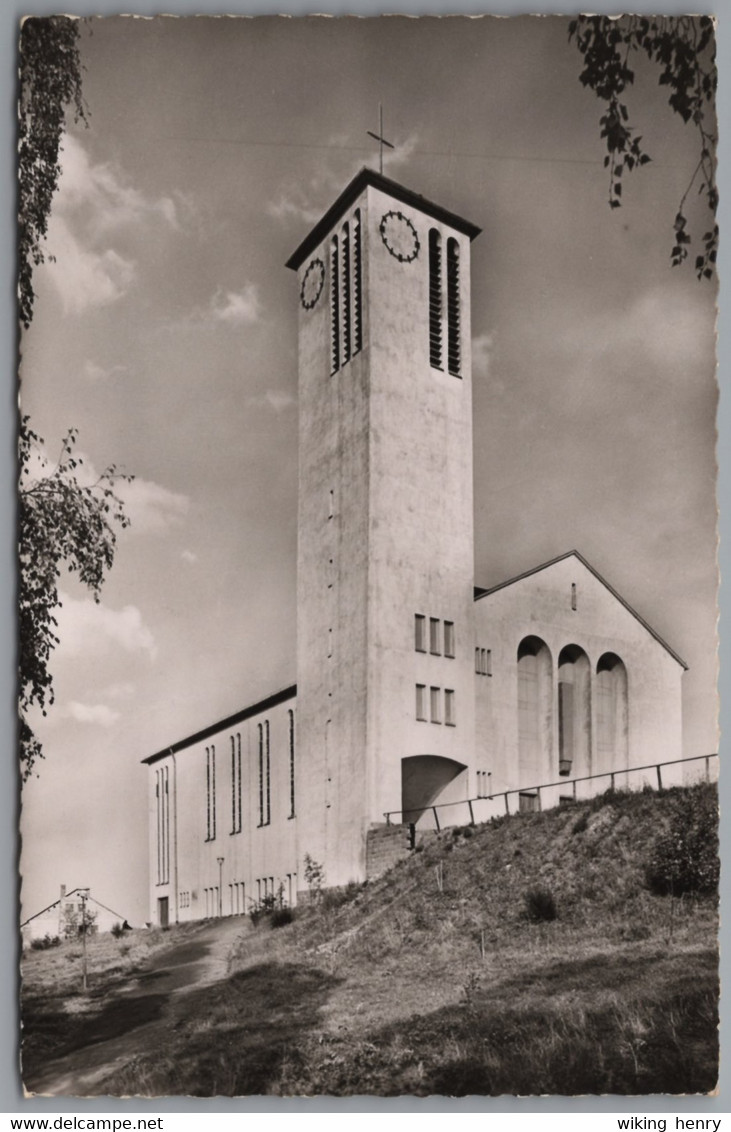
685 859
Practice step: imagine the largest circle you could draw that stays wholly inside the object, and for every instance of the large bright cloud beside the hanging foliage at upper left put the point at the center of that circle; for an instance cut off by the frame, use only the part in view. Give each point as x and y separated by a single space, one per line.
94 207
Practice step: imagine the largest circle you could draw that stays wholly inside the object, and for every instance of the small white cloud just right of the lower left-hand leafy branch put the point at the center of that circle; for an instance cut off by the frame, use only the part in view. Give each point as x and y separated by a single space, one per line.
91 630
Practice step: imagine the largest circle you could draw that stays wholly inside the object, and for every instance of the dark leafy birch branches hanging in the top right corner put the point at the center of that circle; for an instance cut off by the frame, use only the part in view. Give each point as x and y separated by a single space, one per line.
684 49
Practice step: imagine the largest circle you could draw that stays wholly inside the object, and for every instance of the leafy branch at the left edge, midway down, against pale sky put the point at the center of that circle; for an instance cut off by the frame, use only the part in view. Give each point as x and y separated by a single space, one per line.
61 521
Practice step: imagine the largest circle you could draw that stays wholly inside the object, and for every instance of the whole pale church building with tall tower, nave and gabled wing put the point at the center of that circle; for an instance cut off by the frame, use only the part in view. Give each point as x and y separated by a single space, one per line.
423 700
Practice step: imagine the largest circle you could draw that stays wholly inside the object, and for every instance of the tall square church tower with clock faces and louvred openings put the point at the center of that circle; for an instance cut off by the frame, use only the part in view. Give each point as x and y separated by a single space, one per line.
385 554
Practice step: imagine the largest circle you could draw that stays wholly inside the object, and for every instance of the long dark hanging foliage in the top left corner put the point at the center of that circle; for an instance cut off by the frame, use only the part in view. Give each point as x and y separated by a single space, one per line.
50 82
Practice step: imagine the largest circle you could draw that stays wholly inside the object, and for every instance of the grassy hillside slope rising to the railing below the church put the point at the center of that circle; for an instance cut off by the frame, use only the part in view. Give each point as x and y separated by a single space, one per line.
433 980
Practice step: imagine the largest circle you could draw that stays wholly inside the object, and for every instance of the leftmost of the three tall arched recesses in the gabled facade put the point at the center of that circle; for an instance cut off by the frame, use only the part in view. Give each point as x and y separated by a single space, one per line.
535 710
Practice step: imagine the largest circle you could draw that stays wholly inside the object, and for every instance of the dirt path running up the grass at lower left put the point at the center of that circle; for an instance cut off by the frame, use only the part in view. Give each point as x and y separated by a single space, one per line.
139 1018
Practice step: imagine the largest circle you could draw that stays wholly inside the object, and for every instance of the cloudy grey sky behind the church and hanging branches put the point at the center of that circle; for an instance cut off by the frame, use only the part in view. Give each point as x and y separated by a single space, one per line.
166 332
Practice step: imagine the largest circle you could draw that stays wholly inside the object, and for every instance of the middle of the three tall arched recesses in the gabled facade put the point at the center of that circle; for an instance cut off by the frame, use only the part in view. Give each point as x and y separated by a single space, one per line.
574 711
